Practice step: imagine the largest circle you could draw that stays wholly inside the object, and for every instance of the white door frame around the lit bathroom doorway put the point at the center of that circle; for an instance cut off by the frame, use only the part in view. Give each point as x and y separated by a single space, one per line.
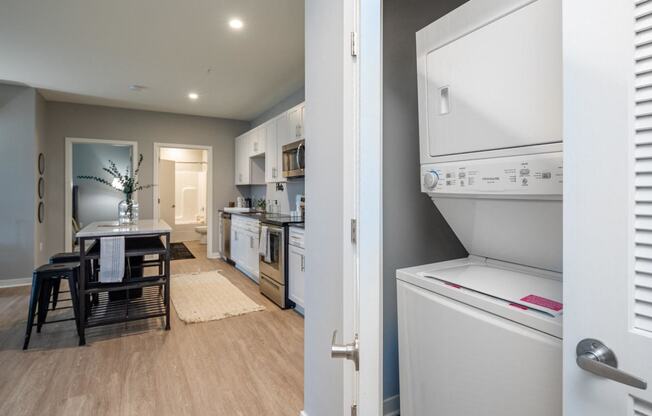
209 188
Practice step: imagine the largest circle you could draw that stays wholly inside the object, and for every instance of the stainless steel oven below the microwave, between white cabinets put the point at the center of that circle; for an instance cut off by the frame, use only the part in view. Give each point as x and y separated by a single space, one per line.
272 269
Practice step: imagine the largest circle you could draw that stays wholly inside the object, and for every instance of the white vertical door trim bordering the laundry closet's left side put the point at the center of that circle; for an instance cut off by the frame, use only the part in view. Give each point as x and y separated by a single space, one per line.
370 218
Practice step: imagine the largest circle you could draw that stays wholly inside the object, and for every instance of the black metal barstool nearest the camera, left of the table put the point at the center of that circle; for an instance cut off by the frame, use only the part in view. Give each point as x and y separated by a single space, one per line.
43 279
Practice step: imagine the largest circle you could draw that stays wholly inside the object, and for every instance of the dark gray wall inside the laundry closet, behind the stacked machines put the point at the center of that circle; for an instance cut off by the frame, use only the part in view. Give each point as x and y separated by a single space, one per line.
419 234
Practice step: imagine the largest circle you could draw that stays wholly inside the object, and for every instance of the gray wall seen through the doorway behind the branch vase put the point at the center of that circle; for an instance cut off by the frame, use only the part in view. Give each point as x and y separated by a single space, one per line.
97 202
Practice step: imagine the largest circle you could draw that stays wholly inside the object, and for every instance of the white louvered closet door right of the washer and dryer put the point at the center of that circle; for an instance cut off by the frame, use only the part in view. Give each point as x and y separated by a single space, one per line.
607 207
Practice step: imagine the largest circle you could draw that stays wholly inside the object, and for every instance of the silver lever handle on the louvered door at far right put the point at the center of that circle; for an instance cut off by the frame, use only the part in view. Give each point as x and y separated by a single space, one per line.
595 357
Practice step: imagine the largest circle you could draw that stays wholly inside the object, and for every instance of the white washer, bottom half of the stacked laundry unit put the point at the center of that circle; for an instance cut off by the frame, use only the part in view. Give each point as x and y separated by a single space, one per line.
472 353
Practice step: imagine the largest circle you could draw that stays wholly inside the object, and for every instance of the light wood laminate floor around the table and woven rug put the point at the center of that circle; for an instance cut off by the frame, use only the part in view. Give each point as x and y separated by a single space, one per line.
247 365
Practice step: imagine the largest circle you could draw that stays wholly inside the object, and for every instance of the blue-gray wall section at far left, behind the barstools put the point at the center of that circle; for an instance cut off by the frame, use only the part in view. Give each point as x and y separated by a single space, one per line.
18 174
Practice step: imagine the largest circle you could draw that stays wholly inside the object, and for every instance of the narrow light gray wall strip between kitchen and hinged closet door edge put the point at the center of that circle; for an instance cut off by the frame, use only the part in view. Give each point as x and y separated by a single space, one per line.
324 234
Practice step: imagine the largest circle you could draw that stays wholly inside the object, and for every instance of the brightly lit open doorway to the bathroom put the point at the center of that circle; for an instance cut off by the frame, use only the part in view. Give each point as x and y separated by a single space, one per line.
183 195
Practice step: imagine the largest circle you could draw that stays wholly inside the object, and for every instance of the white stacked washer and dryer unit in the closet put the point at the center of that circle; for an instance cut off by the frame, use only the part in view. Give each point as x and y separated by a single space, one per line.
482 335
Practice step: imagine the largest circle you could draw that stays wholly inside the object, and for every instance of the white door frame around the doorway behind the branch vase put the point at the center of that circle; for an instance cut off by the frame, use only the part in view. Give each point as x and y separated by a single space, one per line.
68 180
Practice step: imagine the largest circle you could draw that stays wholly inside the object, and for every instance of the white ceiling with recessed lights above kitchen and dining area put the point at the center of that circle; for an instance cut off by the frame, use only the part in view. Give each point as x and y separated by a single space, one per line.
90 51
